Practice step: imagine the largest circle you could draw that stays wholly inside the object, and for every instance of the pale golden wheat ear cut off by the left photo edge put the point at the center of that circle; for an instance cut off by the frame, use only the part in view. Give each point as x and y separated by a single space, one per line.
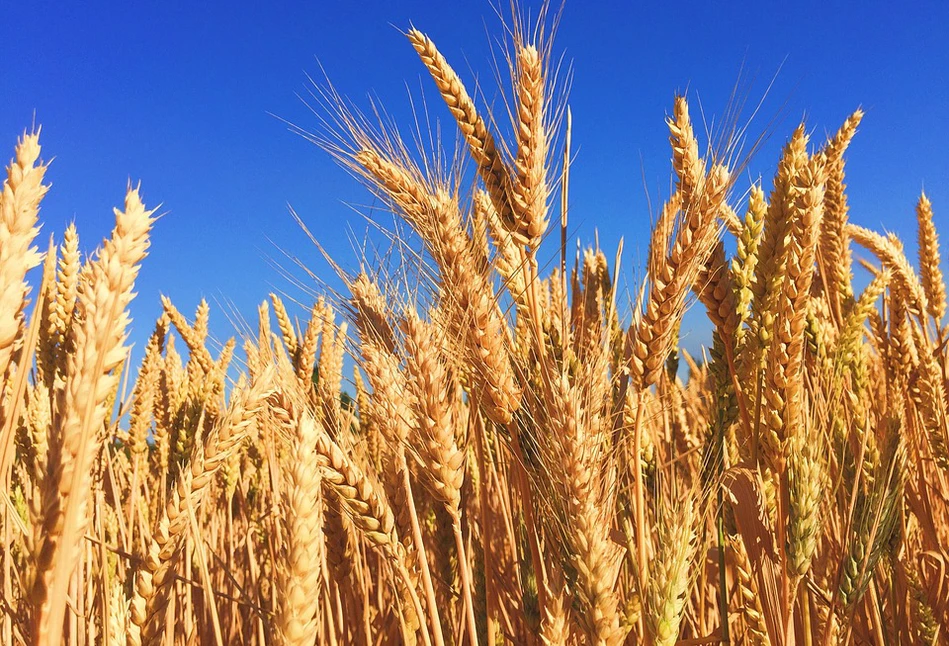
23 190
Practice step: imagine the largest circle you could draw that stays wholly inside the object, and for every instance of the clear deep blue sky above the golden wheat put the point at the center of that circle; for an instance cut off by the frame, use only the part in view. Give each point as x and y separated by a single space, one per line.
179 95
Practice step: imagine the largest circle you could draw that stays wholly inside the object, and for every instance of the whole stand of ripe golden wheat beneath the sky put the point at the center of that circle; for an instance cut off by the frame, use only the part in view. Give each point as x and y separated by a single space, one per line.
517 465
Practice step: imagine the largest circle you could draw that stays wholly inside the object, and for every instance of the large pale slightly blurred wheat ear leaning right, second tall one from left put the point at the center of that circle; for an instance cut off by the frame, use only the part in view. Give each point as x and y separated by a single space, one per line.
76 433
